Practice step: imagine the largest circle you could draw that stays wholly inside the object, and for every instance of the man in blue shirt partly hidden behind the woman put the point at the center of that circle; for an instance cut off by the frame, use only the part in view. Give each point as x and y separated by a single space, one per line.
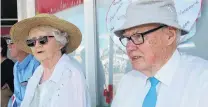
23 70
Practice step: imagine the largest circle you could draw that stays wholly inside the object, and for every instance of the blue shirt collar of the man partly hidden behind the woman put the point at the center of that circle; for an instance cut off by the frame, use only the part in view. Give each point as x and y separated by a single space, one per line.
23 64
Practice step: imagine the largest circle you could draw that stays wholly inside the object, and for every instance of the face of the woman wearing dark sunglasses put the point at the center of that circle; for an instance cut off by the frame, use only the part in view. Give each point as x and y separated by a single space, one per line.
45 45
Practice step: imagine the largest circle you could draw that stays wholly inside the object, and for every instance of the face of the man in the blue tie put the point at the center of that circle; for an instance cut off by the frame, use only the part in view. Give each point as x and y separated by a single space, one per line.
145 56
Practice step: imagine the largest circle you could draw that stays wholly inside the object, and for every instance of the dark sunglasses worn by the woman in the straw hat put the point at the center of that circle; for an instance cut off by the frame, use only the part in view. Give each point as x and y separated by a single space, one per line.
41 40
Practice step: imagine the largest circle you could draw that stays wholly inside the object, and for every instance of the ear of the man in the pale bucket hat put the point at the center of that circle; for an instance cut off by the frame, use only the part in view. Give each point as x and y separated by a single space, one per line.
170 35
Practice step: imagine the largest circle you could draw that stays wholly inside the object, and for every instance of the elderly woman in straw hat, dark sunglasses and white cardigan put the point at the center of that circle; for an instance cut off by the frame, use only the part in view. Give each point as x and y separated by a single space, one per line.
57 82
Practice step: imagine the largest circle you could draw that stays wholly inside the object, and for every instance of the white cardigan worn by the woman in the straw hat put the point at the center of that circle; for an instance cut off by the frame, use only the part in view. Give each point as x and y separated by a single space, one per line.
65 88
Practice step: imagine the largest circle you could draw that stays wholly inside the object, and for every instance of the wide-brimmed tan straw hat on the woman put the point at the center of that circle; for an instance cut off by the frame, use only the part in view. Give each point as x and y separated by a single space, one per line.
20 31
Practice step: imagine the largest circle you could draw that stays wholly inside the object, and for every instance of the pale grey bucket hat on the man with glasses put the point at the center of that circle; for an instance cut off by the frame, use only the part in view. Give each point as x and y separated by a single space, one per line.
150 11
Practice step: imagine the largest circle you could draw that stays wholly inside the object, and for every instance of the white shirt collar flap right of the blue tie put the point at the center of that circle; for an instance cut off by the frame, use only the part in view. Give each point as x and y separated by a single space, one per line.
166 73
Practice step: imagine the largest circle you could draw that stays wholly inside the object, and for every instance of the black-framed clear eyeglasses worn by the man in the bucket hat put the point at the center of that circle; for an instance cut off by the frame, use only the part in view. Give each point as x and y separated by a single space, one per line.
138 38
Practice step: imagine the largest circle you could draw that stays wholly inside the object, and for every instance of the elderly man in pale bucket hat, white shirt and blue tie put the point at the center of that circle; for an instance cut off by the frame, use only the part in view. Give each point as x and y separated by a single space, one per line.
161 75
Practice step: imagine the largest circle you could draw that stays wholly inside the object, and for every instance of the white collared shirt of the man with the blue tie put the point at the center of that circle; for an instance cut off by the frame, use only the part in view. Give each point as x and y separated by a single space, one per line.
183 83
